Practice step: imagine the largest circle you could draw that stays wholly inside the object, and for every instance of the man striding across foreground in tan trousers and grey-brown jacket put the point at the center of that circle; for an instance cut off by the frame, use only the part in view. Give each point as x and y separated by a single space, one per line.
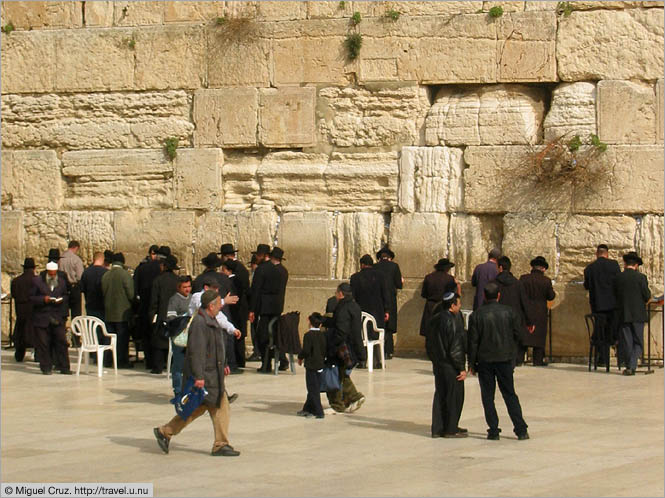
206 362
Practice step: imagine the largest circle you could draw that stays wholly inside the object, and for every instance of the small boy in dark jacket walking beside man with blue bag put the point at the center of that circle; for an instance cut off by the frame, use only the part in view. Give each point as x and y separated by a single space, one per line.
314 354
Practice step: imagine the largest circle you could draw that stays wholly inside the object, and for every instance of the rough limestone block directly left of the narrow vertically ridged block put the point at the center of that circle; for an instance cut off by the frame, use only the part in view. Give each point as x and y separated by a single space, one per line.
362 181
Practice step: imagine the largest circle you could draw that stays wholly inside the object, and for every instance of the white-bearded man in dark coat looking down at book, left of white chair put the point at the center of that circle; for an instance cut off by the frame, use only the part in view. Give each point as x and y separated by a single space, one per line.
49 299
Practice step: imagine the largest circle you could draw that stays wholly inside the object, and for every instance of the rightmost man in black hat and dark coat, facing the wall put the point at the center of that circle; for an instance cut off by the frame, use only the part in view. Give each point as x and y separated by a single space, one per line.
632 292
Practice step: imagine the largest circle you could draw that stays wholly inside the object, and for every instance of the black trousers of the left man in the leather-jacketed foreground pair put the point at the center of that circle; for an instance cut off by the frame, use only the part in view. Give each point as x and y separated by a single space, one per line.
448 400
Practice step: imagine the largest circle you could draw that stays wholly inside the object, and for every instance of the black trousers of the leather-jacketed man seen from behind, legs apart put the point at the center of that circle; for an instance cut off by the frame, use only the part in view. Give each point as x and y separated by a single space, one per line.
489 375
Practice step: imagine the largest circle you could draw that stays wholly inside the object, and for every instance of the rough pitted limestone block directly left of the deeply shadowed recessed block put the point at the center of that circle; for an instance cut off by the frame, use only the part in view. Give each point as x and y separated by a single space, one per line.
363 118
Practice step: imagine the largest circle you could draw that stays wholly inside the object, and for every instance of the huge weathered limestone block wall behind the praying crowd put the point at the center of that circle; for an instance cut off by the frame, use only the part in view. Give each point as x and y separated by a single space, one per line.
421 142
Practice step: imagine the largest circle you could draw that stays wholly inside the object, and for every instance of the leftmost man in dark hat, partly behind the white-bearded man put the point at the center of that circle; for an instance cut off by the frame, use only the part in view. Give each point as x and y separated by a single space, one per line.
21 288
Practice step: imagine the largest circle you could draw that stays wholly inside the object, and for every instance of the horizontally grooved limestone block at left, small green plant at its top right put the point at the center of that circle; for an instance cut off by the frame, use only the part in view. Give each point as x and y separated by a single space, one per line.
118 179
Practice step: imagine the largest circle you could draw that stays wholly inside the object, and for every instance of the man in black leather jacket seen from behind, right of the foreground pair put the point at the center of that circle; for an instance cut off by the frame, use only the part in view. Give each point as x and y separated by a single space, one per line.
493 335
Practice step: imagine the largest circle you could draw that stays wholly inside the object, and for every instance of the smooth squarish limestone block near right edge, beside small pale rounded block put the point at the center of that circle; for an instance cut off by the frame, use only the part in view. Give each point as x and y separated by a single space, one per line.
626 112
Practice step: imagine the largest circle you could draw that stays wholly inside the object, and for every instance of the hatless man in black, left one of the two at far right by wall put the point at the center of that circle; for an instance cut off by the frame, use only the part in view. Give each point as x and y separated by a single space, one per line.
599 278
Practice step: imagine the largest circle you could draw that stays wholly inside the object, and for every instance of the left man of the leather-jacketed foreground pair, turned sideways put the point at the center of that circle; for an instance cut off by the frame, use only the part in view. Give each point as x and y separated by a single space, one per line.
446 347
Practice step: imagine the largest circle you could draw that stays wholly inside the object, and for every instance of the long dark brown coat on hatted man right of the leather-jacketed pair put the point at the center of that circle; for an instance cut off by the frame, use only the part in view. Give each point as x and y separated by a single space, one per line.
537 291
